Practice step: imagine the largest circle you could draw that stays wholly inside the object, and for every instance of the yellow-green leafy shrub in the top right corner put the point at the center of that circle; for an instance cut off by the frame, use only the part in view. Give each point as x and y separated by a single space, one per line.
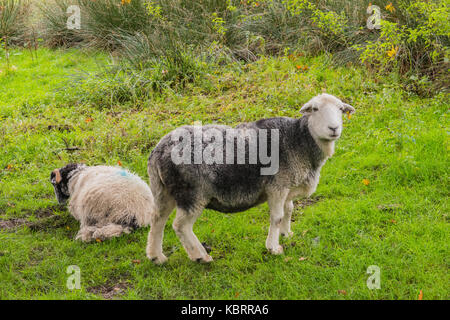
417 45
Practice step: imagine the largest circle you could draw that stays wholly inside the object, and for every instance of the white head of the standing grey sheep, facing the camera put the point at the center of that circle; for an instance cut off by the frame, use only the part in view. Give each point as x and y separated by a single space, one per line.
325 116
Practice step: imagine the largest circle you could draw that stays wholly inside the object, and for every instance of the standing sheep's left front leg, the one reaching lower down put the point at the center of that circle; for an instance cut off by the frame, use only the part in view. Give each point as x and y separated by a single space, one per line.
276 205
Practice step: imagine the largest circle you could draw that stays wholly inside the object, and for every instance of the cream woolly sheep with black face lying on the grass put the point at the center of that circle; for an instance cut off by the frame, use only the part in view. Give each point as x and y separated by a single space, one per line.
108 201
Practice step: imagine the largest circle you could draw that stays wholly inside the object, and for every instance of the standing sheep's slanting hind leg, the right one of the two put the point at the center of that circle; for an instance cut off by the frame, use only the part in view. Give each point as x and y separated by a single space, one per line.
183 226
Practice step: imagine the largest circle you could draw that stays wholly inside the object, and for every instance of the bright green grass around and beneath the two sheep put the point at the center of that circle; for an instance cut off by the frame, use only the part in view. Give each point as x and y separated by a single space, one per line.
399 221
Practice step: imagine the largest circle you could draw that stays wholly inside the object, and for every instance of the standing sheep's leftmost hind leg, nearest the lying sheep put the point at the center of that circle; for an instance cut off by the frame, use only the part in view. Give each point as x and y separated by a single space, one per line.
156 234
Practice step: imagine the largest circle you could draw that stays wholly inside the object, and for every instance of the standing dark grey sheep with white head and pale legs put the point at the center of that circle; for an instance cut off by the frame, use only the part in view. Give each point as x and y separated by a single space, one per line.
235 180
